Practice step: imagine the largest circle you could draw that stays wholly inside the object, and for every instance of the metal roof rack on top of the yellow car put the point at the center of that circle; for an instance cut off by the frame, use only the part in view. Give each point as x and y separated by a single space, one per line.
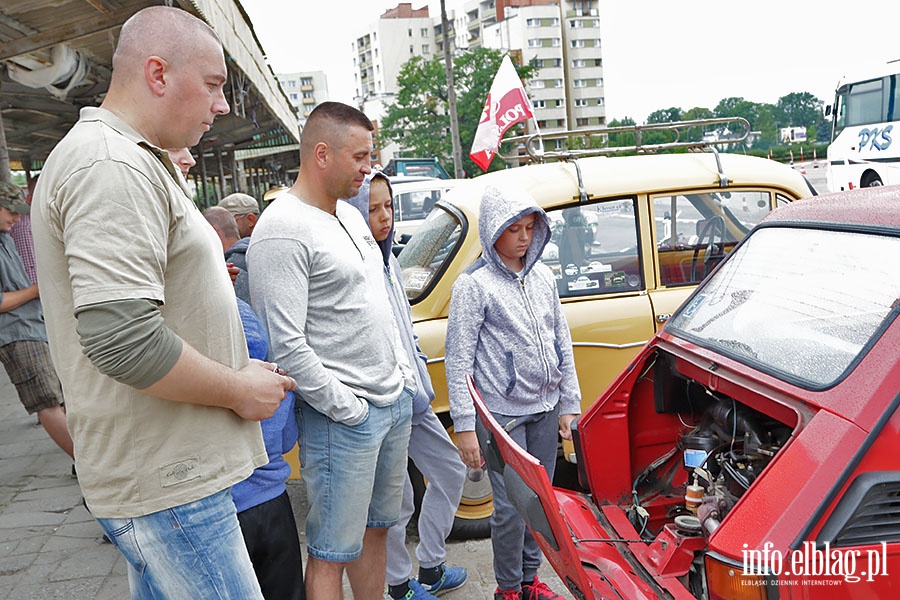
533 144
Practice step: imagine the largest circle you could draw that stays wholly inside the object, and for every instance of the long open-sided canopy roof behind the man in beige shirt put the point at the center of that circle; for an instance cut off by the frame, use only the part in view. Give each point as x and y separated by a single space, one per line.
56 57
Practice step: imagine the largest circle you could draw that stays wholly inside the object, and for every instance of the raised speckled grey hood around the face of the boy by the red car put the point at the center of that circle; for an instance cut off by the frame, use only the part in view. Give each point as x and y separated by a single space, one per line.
500 209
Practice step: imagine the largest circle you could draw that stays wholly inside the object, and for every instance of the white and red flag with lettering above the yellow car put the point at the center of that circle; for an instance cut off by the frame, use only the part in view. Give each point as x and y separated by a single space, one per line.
506 105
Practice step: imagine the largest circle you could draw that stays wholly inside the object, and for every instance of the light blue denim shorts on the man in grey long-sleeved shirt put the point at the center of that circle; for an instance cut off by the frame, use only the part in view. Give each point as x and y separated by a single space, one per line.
354 475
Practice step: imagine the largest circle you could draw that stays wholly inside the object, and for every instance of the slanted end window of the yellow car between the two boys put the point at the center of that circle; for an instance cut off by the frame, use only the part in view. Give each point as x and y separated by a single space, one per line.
428 251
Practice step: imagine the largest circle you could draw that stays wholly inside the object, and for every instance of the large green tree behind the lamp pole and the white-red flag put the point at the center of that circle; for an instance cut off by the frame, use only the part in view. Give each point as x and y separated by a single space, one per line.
418 120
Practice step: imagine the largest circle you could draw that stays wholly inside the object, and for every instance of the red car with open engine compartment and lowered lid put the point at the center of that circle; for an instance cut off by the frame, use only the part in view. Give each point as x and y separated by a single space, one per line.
752 448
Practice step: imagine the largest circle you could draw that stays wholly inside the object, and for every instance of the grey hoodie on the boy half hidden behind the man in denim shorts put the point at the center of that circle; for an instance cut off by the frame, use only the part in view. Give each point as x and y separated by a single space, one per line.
393 280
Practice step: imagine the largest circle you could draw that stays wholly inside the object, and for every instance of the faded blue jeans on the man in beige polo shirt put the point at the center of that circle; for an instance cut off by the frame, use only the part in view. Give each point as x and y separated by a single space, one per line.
194 551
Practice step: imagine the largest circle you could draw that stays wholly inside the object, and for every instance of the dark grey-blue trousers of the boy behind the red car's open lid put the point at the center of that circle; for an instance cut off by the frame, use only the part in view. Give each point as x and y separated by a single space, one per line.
516 555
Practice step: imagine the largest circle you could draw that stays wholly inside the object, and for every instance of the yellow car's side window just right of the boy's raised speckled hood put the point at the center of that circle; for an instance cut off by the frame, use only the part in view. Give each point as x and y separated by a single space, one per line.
593 248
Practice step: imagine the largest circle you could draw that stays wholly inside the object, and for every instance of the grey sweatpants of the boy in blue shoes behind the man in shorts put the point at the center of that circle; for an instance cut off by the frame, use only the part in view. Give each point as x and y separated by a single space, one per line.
435 455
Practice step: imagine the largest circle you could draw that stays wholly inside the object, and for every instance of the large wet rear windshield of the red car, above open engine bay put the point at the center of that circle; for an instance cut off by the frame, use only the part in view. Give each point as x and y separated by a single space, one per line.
801 304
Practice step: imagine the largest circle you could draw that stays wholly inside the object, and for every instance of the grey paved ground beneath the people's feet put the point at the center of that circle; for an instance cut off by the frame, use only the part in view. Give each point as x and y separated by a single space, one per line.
51 548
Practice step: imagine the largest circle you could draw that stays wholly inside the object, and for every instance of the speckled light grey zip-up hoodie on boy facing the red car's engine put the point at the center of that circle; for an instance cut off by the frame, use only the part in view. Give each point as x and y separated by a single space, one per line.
507 329
